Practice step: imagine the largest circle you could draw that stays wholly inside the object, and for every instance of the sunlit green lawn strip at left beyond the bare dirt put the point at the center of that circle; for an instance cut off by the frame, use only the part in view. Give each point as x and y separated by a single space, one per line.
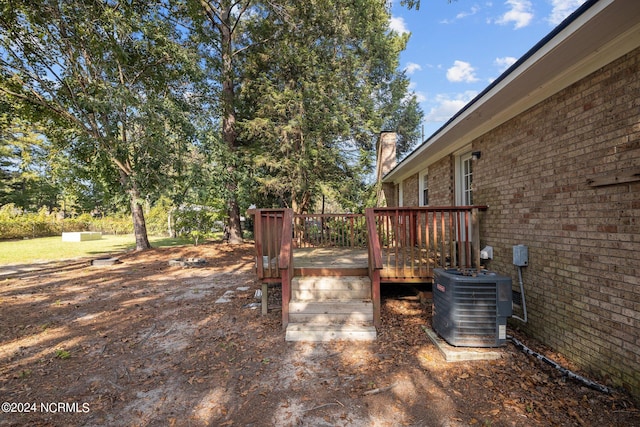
53 248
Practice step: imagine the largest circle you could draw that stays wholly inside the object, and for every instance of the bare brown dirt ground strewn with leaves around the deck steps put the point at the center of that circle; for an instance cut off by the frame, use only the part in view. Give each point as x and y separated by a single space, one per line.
144 343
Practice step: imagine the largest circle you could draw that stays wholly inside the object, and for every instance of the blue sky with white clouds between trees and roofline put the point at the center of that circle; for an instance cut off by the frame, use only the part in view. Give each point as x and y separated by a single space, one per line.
458 48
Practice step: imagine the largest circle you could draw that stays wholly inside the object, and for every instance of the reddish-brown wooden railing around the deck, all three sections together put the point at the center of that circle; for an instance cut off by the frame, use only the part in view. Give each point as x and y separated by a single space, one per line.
413 240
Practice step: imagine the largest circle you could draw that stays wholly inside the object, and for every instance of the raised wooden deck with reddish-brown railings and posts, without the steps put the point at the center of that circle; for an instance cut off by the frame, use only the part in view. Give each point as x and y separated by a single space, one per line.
389 245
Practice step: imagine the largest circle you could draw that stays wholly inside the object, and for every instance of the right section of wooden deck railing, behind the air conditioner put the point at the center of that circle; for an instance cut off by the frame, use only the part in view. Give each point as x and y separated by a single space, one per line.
415 240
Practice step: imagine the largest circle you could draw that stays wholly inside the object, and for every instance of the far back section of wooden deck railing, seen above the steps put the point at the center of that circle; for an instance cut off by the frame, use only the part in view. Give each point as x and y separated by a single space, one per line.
330 230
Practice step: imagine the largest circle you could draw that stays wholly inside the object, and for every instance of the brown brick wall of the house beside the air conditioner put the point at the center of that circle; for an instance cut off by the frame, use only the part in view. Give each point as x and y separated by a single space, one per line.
583 280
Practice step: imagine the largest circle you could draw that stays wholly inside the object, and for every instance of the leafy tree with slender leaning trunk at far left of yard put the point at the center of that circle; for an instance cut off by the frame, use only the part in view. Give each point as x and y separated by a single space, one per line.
111 80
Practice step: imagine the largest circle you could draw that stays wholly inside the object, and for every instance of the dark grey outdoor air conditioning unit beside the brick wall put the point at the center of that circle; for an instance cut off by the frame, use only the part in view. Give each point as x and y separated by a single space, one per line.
470 307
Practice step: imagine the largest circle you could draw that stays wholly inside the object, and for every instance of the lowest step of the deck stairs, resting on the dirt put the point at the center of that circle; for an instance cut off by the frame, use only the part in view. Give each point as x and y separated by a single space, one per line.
315 332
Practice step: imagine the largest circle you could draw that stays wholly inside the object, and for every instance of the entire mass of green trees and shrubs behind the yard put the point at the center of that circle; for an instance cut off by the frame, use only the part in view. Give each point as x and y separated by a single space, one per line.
111 107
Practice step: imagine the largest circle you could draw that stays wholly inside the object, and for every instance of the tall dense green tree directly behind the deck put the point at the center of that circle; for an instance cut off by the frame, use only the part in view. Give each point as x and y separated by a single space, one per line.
315 96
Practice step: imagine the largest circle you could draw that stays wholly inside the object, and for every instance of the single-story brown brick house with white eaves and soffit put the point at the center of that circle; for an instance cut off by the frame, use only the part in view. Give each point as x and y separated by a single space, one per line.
552 147
